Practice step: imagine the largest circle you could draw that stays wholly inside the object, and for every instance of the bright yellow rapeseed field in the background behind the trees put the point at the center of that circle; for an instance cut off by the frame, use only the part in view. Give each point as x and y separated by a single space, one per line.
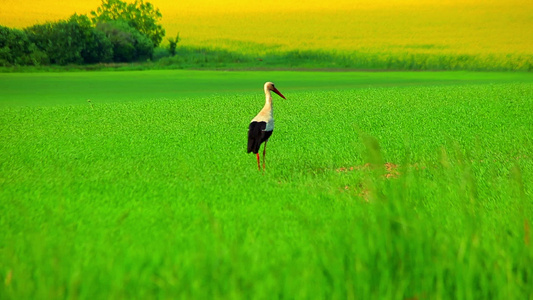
377 34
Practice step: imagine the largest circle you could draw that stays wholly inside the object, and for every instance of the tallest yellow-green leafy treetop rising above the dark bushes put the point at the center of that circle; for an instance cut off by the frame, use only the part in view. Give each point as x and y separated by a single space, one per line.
142 16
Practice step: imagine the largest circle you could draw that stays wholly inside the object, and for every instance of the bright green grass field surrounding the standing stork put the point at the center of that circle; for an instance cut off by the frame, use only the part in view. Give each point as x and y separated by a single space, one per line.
384 185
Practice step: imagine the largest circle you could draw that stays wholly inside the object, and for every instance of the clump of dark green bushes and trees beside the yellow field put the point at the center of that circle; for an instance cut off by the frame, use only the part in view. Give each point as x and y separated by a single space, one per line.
115 32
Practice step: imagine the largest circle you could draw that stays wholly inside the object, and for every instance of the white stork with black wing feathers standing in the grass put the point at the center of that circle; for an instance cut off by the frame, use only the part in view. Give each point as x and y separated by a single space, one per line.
262 125
